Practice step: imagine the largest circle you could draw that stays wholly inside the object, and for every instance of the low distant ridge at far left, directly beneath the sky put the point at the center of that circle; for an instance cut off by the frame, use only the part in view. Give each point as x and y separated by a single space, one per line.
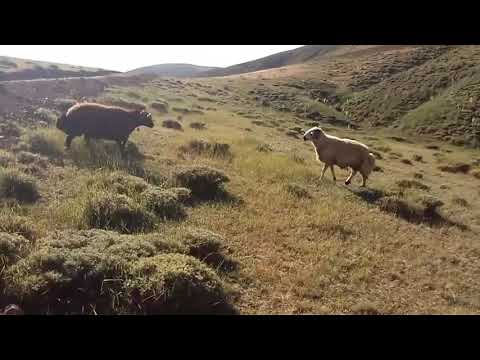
23 69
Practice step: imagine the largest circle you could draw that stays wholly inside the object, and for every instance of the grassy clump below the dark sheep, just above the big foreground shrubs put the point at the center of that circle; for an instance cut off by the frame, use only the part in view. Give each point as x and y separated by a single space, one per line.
105 210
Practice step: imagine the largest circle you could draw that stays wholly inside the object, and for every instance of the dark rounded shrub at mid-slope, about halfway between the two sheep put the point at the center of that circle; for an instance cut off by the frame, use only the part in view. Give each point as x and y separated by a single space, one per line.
204 182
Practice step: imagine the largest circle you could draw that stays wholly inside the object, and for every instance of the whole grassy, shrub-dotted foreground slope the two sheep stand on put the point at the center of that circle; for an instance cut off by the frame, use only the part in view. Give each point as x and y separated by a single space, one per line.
407 244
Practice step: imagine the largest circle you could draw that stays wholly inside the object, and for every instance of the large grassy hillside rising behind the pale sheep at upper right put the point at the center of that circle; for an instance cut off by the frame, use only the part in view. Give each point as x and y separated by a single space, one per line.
422 90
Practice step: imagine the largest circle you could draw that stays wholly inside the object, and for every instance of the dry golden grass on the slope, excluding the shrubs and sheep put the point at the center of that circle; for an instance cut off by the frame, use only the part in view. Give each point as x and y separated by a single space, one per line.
326 253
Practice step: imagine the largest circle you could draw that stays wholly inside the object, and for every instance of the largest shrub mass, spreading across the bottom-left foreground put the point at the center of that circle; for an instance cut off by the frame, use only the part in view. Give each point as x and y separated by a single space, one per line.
101 272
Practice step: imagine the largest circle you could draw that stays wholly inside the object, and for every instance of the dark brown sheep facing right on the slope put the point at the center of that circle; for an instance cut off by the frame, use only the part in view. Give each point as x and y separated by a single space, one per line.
102 122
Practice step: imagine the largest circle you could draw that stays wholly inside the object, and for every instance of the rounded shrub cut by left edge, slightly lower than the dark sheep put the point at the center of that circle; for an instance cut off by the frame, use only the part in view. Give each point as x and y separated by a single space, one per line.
18 186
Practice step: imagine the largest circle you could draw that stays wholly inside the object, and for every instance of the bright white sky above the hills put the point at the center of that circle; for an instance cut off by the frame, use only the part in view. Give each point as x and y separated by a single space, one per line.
129 57
